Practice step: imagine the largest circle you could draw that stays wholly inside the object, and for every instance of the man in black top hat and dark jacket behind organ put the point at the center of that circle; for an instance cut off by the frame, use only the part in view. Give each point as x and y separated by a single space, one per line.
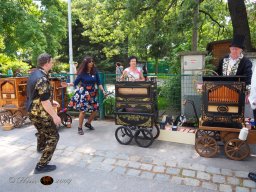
235 63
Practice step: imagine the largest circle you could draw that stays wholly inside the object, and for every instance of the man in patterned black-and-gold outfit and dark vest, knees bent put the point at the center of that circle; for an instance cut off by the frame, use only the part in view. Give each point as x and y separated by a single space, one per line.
41 112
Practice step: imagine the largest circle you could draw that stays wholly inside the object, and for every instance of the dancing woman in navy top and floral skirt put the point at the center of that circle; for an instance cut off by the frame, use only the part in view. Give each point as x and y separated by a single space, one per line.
85 97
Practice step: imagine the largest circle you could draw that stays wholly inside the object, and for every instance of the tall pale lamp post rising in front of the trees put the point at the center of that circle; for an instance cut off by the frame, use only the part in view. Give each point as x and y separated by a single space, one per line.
71 71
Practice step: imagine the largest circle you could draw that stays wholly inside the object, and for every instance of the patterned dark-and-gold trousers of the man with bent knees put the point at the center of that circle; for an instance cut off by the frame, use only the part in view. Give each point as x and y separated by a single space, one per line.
47 137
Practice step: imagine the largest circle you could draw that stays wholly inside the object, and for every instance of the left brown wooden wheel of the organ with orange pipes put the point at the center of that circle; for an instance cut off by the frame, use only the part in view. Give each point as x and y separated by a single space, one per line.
206 146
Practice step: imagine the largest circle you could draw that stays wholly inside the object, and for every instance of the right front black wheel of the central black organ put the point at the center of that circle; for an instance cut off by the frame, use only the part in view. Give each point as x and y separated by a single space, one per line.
143 137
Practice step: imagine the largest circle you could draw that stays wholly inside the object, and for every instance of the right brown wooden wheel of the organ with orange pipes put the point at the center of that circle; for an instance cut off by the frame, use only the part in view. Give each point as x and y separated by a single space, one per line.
236 149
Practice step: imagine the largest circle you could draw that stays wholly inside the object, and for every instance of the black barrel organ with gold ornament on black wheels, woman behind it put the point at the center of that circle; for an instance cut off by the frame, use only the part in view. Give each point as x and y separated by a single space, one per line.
136 111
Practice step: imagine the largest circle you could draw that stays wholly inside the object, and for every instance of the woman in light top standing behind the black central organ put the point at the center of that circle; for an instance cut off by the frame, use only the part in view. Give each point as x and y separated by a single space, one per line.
132 73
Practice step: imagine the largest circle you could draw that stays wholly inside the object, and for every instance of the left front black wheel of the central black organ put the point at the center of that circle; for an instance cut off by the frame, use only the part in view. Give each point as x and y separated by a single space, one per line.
123 135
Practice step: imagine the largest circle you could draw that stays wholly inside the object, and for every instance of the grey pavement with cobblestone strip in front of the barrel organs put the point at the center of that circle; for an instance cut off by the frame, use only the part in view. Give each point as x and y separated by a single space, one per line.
95 161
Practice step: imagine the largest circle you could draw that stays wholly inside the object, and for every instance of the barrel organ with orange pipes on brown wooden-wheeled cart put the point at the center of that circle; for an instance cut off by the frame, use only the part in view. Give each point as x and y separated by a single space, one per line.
223 118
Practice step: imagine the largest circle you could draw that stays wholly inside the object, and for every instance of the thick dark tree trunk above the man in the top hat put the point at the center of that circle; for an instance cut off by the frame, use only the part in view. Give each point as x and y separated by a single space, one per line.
239 20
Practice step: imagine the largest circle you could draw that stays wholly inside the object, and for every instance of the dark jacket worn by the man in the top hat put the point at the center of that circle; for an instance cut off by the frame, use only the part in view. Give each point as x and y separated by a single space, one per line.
244 69
